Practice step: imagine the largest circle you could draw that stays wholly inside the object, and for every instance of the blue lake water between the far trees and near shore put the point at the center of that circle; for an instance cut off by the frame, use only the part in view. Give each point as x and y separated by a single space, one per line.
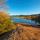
25 21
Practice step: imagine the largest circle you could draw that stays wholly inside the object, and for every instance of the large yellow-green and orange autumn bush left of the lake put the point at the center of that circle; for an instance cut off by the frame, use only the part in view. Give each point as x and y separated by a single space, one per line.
5 22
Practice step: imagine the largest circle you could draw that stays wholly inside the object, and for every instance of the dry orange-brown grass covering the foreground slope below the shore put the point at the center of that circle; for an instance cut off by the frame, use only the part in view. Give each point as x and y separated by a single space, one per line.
26 33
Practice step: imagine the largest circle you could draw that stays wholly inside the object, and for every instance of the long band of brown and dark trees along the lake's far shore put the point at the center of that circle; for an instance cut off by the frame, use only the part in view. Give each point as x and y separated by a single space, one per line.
35 17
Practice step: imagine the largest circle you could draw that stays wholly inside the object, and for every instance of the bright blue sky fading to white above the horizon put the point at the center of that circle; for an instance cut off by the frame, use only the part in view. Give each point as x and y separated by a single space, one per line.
23 7
